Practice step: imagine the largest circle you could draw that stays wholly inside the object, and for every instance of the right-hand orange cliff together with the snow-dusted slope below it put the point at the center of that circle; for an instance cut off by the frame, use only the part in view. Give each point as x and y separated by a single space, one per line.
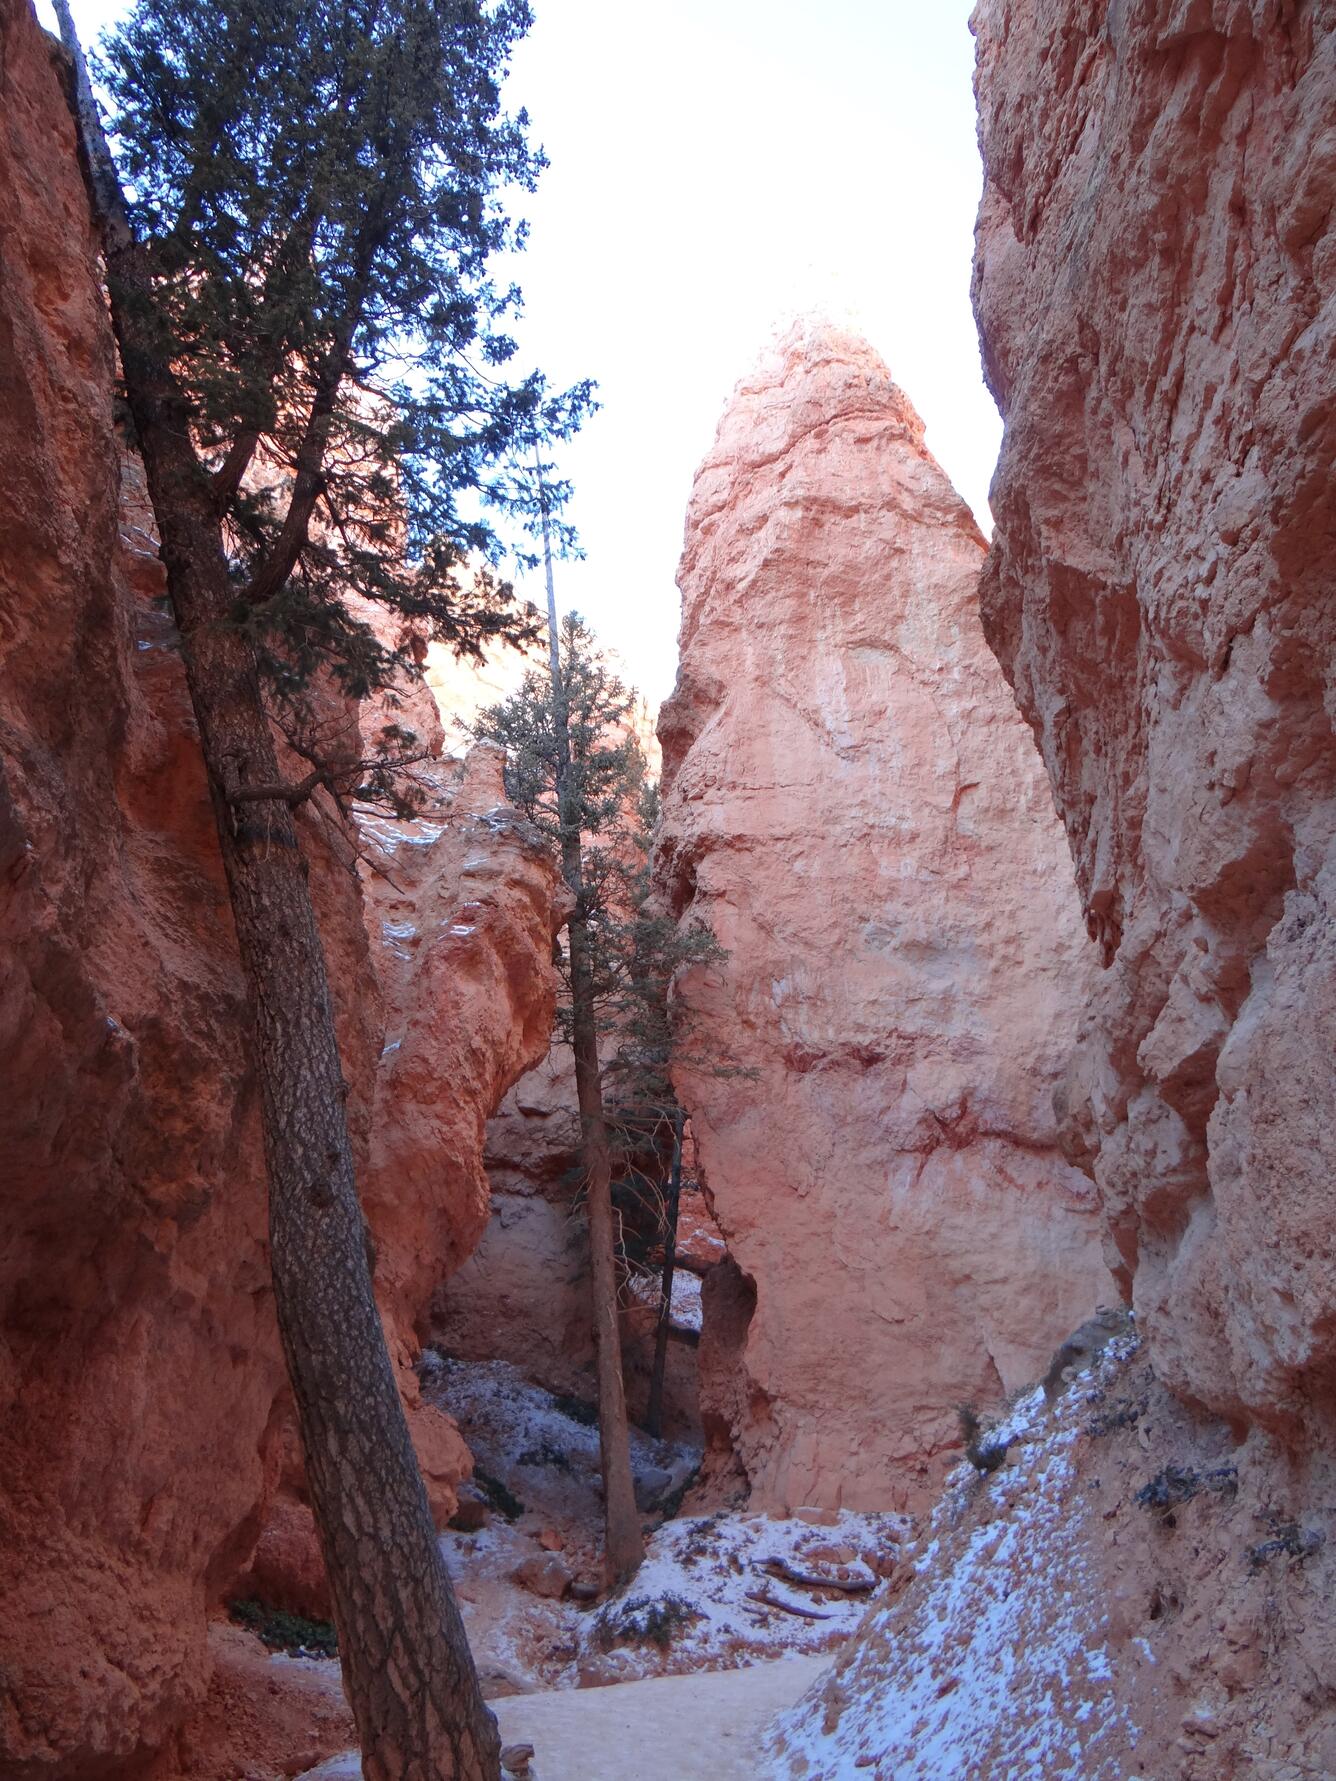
1146 1586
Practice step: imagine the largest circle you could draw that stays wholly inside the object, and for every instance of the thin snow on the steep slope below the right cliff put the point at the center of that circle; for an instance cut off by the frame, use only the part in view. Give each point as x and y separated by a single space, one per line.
991 1661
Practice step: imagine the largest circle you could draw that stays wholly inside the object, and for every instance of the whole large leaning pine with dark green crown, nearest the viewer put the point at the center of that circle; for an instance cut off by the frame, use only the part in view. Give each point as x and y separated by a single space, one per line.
314 364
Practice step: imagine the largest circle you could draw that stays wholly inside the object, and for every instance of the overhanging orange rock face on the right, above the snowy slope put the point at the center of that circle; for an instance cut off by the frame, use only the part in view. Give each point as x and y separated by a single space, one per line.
1157 293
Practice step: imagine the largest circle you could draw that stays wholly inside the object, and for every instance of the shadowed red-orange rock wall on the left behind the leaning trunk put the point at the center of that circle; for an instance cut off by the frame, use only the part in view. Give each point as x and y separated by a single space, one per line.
142 1388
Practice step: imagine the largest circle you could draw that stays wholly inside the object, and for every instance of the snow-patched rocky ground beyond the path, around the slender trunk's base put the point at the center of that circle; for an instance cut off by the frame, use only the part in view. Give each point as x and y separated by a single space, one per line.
708 1595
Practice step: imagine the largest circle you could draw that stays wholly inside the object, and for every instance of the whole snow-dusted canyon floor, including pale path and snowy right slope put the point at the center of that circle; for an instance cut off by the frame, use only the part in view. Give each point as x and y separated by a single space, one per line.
986 1657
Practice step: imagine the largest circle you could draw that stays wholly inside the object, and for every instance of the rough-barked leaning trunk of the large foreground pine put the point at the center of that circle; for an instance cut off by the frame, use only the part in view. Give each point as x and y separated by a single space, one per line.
407 1666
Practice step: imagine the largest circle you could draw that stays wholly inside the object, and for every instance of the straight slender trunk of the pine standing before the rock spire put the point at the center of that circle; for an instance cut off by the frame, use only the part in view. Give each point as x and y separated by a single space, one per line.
624 1541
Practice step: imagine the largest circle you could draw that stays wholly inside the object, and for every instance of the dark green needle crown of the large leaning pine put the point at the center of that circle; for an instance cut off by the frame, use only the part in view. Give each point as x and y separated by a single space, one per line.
322 195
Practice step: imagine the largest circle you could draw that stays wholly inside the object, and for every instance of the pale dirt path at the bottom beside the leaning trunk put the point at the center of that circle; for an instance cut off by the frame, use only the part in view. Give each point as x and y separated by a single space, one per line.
667 1728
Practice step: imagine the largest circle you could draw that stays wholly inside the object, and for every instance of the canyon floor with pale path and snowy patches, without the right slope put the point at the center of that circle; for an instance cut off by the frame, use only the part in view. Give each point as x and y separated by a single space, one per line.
729 1618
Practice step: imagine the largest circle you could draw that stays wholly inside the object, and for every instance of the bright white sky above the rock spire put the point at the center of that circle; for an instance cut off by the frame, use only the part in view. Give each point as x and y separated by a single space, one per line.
717 168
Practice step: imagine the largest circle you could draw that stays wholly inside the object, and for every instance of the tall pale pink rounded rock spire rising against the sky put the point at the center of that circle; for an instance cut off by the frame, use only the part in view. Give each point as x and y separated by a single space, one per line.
858 811
